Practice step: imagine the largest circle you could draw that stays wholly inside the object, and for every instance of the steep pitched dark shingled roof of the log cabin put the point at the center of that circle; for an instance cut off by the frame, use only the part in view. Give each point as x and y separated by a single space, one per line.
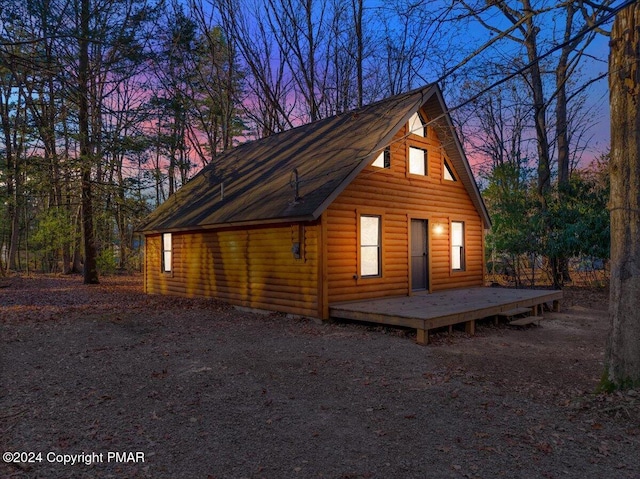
256 182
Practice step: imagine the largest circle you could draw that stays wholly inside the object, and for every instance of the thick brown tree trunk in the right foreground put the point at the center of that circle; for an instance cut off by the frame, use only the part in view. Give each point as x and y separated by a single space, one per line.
623 346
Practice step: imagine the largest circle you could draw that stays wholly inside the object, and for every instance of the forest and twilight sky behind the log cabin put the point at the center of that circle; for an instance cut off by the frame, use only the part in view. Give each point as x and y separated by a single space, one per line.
108 106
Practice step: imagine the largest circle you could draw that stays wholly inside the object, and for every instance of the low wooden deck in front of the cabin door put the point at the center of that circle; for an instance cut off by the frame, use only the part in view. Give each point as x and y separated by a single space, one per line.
424 311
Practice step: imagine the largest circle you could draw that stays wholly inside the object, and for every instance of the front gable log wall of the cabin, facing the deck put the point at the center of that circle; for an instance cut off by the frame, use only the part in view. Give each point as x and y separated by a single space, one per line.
398 197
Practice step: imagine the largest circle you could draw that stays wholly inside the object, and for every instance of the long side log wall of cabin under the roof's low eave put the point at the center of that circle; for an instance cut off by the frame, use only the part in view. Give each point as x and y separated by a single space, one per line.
252 267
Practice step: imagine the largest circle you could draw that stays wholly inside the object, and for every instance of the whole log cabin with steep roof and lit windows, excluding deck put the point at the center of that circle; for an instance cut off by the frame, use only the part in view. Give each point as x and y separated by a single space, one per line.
375 202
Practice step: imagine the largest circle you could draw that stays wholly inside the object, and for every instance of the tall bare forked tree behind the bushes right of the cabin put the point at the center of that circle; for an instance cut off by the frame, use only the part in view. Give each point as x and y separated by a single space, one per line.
548 100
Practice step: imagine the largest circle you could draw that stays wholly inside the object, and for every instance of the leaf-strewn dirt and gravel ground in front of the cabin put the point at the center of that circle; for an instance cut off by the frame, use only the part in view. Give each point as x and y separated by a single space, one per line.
197 389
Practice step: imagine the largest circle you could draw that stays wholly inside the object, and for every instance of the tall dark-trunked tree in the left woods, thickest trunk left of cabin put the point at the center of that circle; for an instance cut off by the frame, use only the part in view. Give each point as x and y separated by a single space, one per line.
107 36
